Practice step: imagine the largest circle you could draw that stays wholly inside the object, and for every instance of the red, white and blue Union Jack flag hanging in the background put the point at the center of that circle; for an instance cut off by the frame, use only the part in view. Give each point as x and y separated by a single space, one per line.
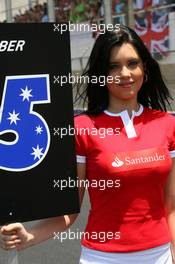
152 25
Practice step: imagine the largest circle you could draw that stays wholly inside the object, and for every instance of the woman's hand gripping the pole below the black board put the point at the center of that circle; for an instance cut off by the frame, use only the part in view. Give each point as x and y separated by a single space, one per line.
14 236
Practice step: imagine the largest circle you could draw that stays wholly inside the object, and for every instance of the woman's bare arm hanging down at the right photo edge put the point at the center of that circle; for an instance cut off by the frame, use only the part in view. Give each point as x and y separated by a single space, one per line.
170 205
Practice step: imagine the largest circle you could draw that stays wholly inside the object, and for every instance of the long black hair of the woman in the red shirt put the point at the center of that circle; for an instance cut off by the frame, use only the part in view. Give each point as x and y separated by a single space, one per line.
153 92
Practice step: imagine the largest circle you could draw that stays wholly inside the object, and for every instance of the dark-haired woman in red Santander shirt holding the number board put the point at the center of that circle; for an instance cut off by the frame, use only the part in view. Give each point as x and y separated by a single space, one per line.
132 219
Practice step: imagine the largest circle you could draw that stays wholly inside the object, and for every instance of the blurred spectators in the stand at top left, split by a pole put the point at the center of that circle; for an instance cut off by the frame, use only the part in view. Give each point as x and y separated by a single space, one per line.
75 11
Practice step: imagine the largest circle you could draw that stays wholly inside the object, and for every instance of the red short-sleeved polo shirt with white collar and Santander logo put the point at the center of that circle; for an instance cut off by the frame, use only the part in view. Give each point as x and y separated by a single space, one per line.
127 161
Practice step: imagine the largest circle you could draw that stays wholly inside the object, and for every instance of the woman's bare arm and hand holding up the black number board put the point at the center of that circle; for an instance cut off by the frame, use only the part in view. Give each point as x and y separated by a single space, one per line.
16 236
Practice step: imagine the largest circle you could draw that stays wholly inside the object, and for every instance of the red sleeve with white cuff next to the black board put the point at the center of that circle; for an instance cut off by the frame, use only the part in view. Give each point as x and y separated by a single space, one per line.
81 141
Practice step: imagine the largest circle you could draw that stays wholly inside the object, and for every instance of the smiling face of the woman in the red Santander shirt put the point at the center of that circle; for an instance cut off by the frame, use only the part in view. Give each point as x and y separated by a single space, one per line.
127 70
